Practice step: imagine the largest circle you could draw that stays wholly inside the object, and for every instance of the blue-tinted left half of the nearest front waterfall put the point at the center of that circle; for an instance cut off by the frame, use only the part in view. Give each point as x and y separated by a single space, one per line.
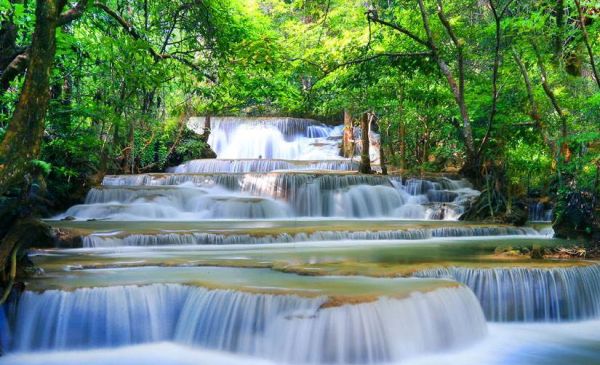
124 315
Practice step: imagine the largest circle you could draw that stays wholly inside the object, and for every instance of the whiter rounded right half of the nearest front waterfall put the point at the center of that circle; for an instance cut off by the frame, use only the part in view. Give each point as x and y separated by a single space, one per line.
382 331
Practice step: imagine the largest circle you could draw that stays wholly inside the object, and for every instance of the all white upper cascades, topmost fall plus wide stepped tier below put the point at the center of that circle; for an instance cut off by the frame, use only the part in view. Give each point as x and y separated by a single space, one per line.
267 169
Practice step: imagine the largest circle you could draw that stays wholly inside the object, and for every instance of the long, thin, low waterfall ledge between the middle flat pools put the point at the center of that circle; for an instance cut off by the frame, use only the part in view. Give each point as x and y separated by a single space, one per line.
203 238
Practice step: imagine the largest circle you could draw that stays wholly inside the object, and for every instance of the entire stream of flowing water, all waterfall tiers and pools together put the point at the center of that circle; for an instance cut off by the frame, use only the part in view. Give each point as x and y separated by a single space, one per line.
278 252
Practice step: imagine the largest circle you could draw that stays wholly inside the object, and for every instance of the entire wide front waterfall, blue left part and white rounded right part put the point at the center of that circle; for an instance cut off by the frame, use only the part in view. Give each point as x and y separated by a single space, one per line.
284 328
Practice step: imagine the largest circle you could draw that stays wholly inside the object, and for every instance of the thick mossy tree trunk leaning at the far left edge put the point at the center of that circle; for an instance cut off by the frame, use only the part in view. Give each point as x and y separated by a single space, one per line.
23 138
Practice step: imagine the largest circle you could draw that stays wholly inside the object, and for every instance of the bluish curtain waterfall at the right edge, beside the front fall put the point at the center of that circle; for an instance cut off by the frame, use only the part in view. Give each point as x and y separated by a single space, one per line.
530 294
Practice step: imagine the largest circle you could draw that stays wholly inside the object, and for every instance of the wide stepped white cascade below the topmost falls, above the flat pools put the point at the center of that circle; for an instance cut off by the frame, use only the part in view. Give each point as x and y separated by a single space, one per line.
273 196
